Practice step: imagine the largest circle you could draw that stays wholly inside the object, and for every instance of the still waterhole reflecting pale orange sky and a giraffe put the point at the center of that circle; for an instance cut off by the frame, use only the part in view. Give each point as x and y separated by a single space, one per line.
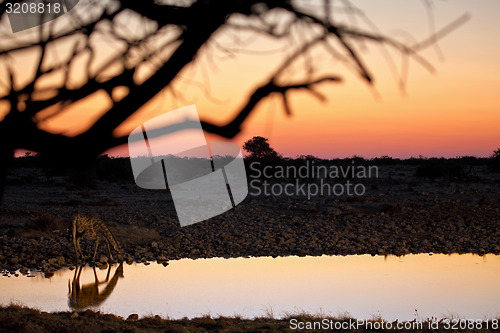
363 286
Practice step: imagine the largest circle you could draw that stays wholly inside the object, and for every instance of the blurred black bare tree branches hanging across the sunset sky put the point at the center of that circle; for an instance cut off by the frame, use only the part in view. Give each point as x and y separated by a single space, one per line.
168 38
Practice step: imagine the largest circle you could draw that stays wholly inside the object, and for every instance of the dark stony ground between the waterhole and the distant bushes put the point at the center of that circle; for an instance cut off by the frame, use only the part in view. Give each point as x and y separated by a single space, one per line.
399 214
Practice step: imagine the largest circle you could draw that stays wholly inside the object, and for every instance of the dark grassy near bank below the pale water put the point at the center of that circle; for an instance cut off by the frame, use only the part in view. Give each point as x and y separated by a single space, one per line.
16 319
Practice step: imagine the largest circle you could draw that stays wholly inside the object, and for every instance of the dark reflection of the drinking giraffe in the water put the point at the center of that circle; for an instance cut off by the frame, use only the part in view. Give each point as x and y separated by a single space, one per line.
88 295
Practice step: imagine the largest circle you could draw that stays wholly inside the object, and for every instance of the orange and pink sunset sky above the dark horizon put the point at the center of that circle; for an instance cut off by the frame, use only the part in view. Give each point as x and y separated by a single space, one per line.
452 112
